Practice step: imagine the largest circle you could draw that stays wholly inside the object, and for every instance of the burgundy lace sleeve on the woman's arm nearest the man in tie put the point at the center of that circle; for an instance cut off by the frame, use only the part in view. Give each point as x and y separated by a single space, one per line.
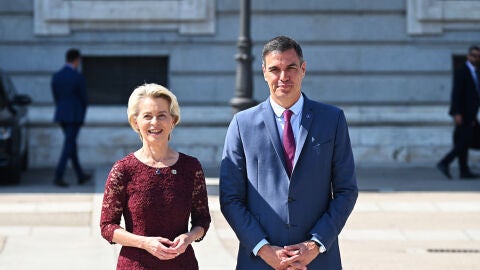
200 212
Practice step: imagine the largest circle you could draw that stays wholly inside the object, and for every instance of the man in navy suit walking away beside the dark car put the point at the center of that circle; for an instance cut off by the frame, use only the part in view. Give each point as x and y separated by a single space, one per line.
70 96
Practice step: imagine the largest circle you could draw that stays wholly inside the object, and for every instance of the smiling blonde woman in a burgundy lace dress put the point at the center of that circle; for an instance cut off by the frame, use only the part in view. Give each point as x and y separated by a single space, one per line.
156 189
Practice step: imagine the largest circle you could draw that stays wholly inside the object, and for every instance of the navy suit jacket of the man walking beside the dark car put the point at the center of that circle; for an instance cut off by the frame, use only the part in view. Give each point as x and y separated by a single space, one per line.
70 96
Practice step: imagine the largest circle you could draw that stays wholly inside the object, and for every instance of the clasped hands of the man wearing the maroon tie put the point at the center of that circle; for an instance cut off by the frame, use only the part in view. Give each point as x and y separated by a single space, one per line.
300 255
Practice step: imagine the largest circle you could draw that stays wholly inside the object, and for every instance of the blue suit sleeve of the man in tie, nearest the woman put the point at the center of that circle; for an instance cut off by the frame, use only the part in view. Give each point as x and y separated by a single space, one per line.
233 190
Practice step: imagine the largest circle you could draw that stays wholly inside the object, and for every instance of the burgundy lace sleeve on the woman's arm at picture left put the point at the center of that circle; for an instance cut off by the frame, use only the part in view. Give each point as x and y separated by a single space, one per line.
114 201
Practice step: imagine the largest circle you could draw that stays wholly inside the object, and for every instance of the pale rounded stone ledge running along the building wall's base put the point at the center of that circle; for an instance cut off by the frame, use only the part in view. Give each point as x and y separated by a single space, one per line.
220 116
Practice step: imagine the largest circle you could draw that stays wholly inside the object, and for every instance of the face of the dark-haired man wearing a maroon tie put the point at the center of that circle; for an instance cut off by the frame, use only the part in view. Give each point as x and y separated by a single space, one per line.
284 73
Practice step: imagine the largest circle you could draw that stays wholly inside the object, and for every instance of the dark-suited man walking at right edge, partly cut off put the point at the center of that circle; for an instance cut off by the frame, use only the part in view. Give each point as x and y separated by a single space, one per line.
463 108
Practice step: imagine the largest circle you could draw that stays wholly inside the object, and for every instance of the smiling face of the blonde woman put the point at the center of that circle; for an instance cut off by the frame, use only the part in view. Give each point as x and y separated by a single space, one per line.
154 121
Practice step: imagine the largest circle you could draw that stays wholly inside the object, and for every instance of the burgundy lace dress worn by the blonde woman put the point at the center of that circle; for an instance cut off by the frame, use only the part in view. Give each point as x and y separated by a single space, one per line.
154 205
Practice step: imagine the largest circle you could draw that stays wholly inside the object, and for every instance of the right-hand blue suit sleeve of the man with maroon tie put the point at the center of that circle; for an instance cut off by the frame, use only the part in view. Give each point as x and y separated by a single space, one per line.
343 185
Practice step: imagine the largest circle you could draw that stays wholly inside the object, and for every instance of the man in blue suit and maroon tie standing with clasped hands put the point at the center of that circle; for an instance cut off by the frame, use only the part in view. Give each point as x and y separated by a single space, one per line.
287 178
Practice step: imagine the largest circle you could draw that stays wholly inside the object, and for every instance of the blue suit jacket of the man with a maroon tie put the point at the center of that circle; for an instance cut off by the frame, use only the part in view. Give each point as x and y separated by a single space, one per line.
260 201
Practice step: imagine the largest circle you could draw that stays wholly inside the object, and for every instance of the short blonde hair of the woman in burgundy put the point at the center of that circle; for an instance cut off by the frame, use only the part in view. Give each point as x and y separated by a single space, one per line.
151 90
